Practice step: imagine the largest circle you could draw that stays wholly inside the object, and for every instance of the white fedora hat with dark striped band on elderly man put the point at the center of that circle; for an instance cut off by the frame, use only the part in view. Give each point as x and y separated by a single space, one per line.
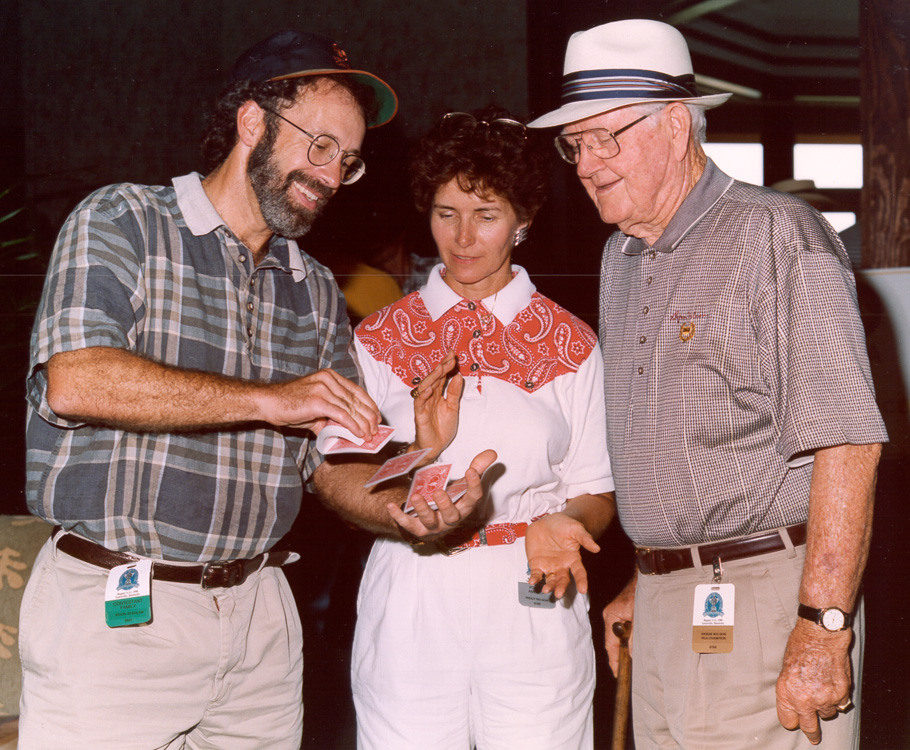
623 63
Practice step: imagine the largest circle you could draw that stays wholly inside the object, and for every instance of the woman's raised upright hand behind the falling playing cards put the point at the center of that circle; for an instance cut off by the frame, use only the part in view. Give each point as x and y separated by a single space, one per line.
436 407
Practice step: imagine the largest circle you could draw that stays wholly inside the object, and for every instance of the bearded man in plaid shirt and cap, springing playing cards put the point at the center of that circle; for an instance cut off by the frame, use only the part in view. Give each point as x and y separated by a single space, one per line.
184 354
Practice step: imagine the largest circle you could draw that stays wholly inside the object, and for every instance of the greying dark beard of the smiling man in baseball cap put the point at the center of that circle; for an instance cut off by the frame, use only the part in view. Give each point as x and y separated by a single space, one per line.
282 214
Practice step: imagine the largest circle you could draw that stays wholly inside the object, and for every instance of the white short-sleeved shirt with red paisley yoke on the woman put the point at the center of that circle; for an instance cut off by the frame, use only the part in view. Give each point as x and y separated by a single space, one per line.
533 388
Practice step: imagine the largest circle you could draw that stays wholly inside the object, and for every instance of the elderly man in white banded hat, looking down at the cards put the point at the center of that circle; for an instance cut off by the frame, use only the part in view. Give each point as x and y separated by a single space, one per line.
741 418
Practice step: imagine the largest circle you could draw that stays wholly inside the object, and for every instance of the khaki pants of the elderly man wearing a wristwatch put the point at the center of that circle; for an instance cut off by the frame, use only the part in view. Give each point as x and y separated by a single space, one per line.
688 701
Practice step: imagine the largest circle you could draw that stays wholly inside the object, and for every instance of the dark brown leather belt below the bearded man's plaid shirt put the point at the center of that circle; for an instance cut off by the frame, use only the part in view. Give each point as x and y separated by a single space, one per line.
210 575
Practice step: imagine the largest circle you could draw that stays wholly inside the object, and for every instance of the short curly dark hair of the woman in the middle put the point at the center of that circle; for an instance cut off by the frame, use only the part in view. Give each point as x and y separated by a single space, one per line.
484 156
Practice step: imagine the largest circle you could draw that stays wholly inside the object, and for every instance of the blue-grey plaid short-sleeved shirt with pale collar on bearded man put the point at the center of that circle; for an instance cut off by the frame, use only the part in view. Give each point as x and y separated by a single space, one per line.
154 270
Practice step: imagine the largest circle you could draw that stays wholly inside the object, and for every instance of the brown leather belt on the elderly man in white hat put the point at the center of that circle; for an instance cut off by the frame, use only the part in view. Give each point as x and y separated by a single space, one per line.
658 562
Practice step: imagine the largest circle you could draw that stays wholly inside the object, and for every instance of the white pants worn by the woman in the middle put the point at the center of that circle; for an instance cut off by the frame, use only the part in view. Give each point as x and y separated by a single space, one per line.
445 657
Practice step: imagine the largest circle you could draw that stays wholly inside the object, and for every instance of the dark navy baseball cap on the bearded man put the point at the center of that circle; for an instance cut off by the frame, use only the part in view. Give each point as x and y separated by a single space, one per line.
291 54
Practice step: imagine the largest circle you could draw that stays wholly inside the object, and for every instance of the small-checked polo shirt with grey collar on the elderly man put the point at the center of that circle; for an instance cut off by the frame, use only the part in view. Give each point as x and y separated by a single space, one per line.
732 350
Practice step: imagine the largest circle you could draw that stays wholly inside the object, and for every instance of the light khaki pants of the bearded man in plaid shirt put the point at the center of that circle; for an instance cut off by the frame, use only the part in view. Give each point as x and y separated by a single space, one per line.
218 668
